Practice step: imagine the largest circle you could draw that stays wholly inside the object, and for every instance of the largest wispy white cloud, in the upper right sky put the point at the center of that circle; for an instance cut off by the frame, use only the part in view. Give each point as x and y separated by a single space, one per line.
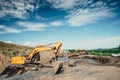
82 17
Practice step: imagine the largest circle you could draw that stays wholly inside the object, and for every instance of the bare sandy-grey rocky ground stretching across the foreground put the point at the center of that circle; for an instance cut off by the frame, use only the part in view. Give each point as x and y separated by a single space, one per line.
84 70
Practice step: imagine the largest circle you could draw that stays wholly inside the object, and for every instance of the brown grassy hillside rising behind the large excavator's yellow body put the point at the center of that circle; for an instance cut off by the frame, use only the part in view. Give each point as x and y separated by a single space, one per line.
10 50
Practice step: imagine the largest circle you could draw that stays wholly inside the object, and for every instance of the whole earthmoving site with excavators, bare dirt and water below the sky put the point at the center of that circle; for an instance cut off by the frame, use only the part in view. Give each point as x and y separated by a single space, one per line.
46 62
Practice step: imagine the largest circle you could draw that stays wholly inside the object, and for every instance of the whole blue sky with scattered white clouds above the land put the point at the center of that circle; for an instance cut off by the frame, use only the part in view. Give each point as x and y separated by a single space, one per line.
85 24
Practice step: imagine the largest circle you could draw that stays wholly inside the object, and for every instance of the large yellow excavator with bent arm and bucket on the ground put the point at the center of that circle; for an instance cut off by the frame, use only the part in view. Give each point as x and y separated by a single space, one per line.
35 58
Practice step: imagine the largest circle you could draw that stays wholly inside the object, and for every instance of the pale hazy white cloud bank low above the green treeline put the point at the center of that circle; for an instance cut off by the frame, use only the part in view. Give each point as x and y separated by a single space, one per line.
109 42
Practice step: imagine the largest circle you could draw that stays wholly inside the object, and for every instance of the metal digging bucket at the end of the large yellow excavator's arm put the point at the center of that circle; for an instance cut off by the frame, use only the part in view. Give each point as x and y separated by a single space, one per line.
57 66
